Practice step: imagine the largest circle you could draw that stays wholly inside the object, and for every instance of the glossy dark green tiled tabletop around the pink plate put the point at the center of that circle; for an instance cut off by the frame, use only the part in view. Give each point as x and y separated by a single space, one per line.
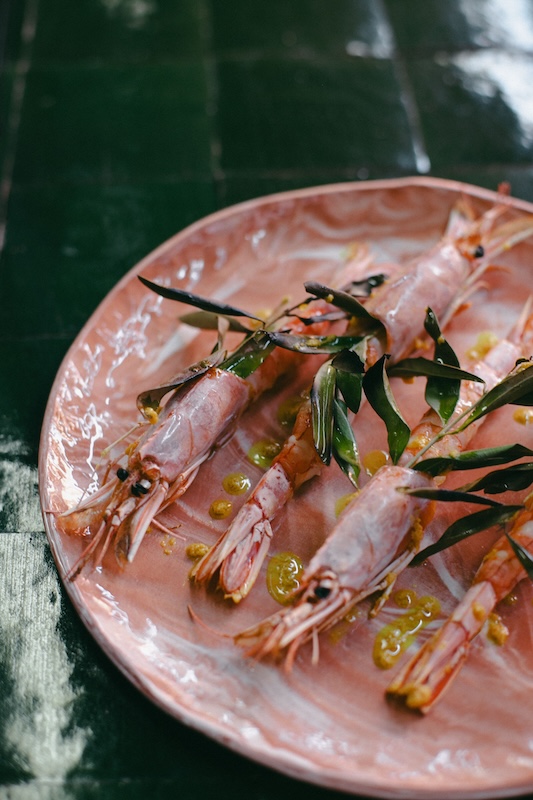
121 122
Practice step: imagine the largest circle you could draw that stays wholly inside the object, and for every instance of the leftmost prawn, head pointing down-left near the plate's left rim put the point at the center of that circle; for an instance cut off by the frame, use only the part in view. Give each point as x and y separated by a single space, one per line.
197 417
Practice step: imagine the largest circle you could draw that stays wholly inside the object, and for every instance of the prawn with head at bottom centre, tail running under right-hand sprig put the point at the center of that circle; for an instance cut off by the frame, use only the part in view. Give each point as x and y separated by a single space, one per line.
378 533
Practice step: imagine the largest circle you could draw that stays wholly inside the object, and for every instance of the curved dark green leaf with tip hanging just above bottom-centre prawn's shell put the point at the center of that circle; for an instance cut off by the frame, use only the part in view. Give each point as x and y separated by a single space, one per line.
378 392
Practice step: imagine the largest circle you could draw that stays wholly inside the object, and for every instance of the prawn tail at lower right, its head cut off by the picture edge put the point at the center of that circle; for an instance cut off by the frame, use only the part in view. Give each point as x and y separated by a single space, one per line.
424 679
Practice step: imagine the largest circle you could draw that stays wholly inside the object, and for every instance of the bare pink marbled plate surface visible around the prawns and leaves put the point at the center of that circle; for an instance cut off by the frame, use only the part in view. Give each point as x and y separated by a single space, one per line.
330 723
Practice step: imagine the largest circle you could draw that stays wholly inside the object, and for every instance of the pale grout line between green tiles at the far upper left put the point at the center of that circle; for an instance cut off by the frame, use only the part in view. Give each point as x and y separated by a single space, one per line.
21 69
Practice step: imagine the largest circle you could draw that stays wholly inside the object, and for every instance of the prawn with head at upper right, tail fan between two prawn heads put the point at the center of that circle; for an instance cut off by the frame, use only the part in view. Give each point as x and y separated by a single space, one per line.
433 278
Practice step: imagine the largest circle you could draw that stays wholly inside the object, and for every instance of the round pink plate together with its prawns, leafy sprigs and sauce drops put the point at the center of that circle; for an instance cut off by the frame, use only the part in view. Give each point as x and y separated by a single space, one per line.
286 474
